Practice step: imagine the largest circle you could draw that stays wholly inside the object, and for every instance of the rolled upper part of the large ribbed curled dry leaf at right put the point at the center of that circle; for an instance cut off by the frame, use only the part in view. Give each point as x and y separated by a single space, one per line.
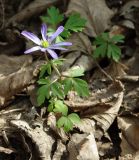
97 98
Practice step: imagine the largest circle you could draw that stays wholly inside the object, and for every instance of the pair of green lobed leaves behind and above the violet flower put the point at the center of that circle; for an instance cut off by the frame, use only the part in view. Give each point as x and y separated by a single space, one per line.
74 23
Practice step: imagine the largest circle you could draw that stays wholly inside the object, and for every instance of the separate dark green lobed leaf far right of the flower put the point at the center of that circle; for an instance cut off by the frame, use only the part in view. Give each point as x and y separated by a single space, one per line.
106 46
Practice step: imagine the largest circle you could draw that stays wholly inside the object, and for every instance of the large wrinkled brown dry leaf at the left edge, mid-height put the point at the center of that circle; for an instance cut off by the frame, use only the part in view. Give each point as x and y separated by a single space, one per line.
16 73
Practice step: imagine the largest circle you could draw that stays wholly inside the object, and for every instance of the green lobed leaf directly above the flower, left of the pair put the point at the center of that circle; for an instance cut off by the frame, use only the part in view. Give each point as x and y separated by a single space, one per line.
54 17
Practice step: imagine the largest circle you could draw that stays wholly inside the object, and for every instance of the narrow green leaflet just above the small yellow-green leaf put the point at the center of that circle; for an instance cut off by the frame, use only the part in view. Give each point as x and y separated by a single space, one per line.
57 90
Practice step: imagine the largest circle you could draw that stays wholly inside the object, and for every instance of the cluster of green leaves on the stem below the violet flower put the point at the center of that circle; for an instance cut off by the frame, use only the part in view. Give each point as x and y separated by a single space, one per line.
55 90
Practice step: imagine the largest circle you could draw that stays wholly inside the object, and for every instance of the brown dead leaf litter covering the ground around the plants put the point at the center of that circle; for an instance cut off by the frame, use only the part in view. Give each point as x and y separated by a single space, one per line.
112 104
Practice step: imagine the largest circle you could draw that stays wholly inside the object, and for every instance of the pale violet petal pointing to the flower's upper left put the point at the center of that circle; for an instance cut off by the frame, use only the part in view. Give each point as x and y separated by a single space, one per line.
31 36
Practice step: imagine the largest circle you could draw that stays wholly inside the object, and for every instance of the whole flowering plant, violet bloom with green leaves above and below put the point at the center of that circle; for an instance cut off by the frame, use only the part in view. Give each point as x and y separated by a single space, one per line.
54 89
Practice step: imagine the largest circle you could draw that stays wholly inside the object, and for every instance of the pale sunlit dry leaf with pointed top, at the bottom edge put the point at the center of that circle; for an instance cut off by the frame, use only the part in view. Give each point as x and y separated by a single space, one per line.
83 146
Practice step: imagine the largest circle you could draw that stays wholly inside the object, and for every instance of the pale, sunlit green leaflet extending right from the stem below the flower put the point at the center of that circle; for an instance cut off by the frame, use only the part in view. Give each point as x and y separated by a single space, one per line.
76 71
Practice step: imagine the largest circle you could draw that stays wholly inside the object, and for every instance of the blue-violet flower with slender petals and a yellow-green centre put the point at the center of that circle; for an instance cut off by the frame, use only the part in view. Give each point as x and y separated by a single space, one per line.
46 44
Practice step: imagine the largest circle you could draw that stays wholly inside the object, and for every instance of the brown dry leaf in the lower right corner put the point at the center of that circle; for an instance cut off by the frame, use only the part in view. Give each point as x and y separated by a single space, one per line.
129 126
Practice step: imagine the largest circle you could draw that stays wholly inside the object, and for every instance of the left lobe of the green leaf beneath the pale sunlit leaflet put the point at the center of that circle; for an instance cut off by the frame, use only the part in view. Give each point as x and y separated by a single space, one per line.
67 82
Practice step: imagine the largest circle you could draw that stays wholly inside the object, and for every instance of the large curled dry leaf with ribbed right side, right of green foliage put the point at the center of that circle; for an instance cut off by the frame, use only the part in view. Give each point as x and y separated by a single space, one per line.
111 98
